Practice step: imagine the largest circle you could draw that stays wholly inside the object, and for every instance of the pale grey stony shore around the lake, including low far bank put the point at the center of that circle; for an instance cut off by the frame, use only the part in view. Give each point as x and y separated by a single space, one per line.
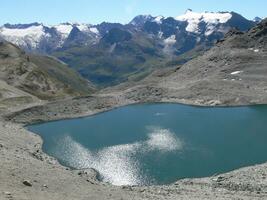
28 173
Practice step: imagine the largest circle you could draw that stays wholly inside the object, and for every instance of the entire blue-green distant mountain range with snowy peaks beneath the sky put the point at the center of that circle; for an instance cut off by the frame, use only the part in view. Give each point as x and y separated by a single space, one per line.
111 53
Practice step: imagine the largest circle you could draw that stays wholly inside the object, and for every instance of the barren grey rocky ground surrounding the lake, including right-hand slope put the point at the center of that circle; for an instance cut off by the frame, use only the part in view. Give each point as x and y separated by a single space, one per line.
232 73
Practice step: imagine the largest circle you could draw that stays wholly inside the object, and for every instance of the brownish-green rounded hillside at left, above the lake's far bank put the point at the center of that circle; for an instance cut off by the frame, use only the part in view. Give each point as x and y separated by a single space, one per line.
25 78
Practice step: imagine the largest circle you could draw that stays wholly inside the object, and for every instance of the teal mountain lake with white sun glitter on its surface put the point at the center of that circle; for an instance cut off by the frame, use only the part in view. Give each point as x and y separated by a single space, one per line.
159 143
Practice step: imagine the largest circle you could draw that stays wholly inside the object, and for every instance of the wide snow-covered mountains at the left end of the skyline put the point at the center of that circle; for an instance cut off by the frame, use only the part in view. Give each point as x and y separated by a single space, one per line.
30 36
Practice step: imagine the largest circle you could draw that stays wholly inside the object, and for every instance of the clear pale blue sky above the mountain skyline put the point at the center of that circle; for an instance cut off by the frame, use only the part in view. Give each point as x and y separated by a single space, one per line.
97 11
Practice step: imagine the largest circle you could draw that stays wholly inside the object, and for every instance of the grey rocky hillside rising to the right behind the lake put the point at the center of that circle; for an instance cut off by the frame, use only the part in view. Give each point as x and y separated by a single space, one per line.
234 72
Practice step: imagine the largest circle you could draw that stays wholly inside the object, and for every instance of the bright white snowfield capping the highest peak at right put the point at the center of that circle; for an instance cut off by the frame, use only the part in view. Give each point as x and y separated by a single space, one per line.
210 18
